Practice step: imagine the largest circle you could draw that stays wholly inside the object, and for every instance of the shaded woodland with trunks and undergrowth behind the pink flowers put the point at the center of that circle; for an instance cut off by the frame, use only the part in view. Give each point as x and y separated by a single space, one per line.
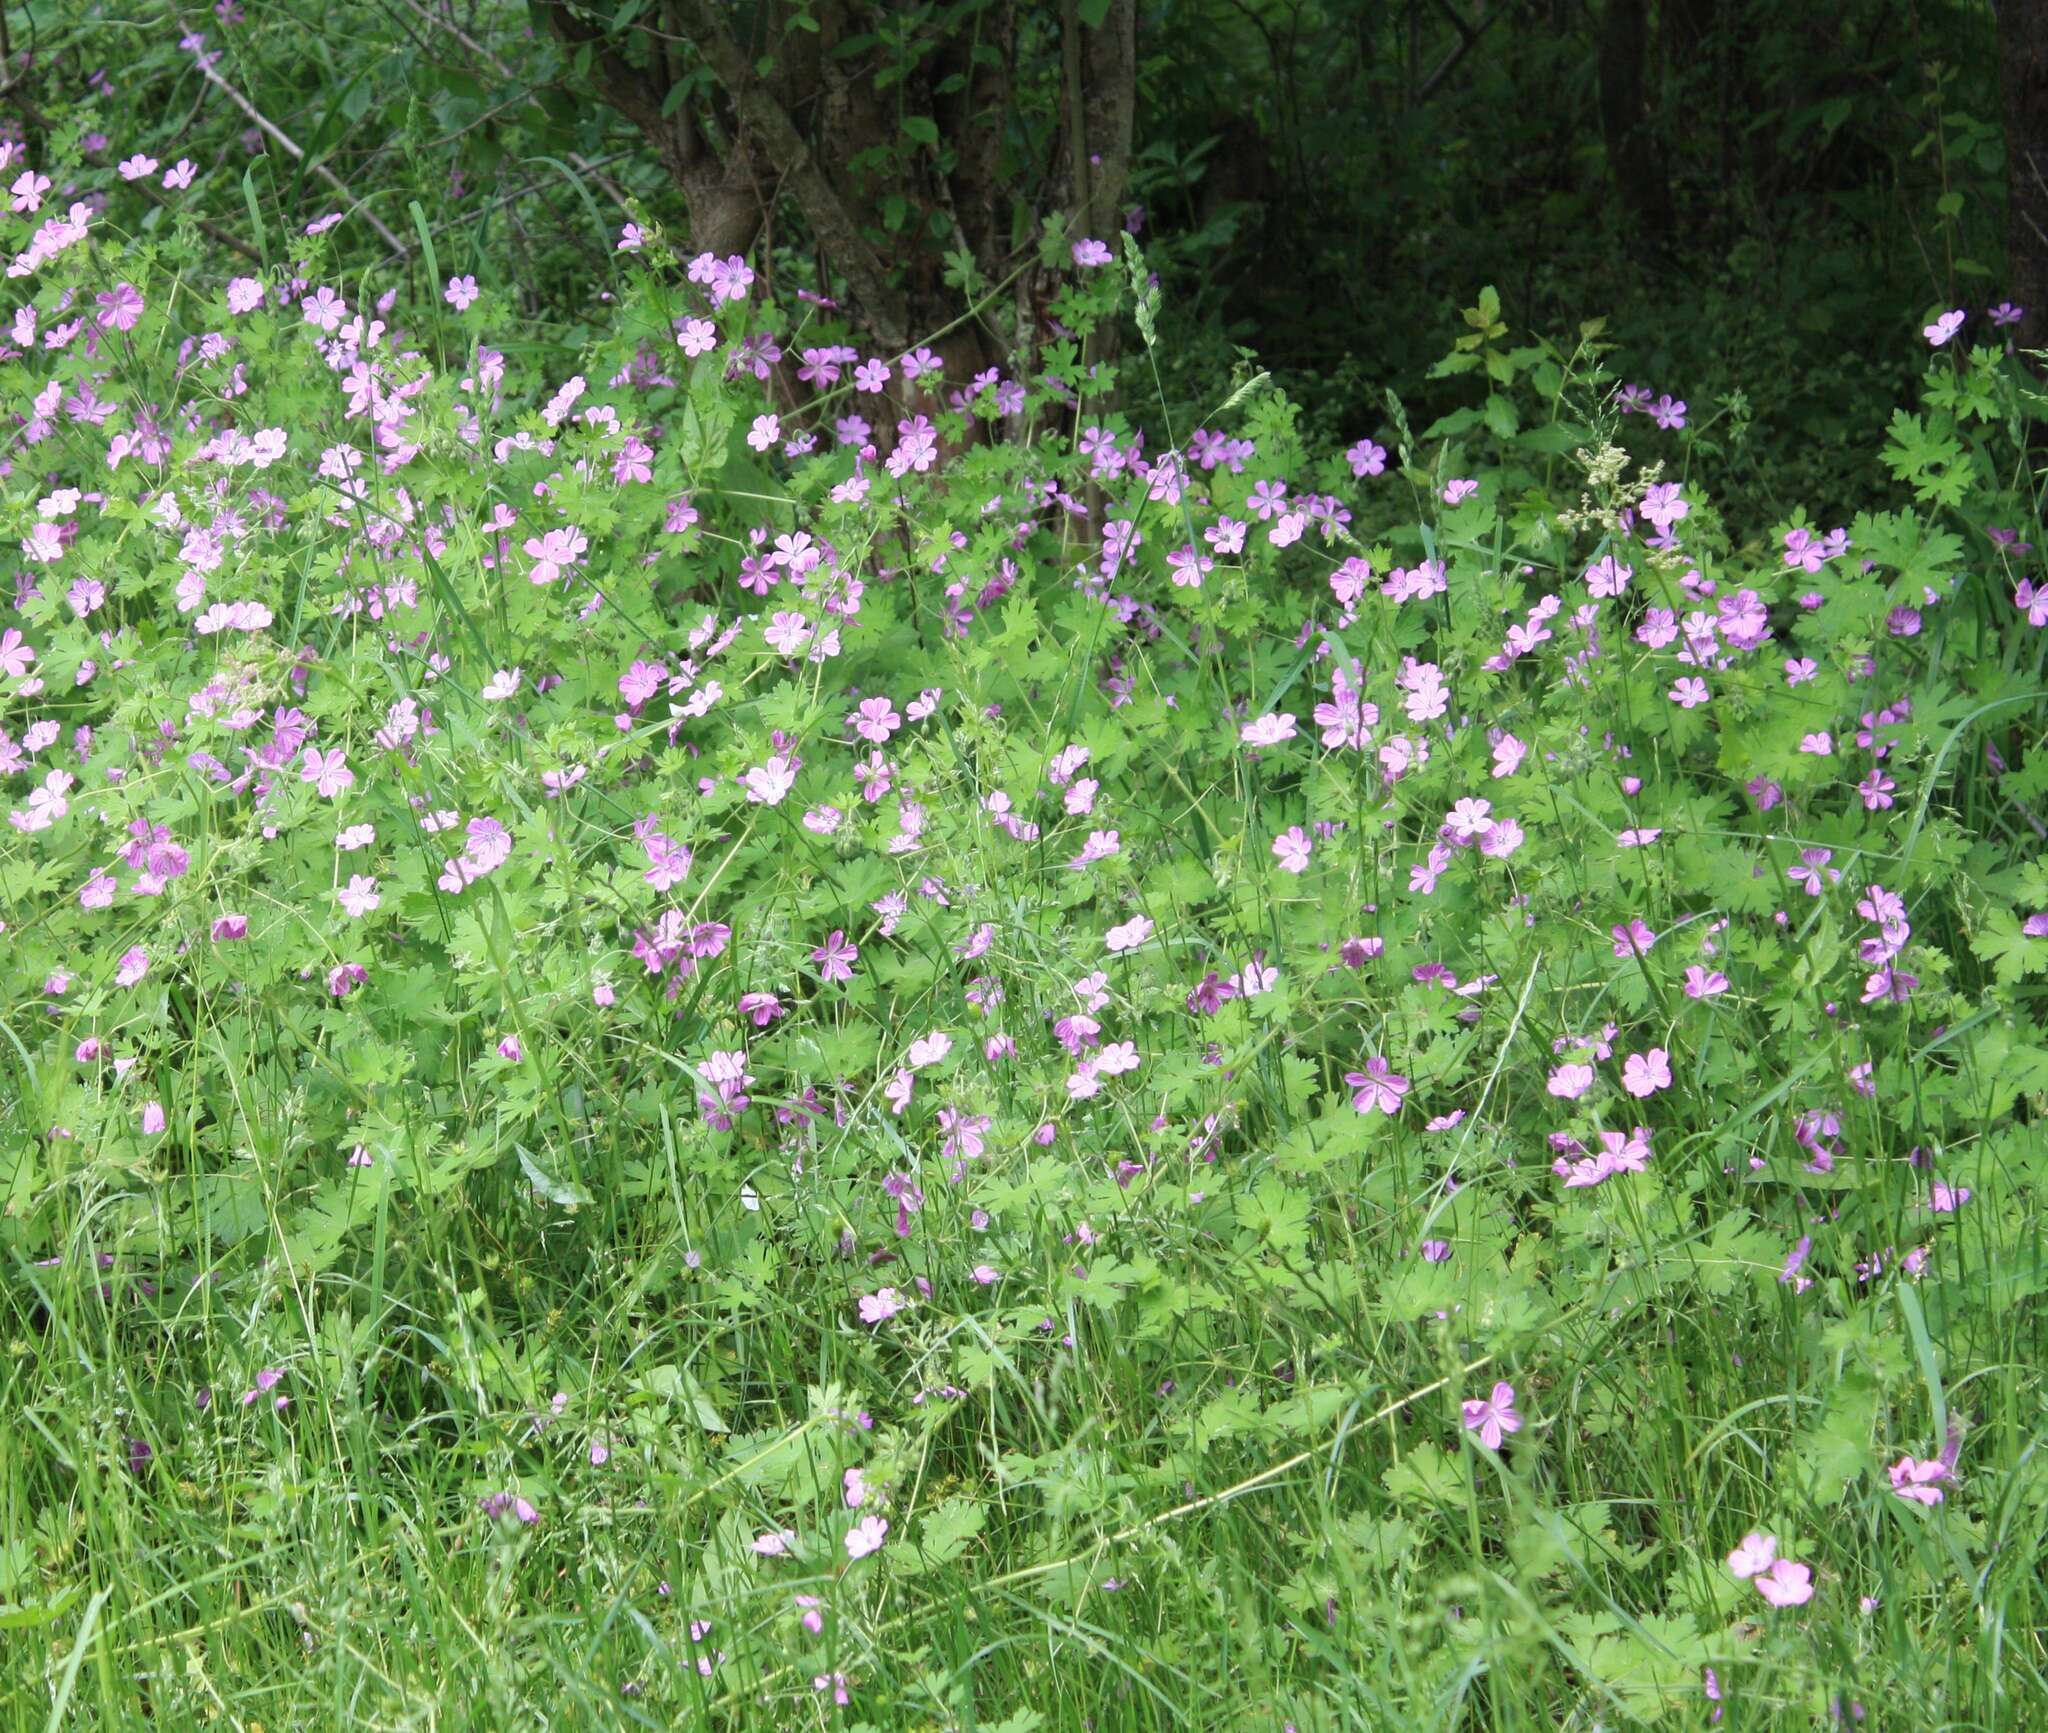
1762 200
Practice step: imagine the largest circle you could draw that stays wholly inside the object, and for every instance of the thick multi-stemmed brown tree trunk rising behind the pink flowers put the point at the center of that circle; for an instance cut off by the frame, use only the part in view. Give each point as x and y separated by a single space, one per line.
816 118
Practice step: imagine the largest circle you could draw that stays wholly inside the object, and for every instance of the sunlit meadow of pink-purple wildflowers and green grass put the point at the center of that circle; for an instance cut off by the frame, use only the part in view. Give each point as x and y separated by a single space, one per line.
710 1023
